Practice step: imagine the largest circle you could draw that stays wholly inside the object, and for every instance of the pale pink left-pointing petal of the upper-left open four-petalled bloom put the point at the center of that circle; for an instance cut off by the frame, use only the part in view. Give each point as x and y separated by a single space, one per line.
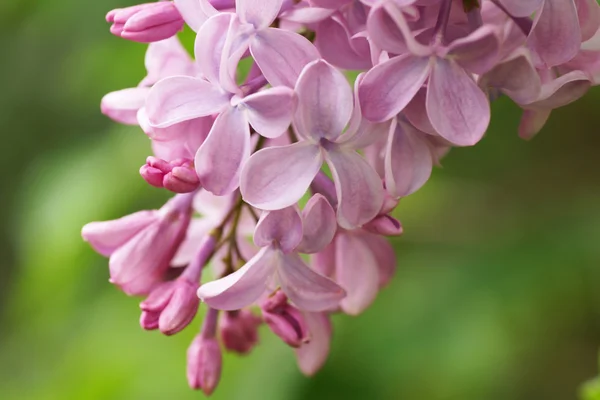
181 98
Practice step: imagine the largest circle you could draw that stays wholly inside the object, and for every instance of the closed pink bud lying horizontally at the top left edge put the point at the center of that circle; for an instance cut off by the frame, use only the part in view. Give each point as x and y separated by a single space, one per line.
146 23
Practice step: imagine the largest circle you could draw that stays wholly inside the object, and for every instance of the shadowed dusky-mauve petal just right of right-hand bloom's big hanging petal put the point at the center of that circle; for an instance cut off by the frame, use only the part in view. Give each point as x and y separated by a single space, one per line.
516 77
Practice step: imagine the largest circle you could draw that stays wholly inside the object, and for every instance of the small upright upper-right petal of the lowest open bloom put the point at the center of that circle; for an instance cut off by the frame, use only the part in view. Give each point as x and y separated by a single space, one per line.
320 225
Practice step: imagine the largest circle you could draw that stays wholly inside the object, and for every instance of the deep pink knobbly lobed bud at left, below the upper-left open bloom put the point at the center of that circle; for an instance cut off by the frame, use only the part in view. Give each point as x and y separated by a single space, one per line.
178 176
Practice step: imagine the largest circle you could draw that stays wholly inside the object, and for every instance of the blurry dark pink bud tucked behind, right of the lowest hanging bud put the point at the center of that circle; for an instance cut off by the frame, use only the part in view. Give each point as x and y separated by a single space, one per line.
239 330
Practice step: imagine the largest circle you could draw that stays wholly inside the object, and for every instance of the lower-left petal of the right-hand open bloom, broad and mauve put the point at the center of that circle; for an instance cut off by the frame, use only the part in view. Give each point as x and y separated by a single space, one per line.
390 86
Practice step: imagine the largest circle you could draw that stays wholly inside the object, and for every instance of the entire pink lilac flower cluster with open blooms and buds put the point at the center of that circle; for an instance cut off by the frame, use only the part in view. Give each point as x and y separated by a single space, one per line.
285 178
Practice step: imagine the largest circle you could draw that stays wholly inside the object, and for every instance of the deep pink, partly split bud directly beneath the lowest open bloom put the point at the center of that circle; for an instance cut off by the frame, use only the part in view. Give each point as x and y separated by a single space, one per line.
285 321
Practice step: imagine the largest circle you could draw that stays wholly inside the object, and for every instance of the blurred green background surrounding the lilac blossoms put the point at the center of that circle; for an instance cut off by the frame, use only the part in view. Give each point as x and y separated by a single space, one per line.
496 295
